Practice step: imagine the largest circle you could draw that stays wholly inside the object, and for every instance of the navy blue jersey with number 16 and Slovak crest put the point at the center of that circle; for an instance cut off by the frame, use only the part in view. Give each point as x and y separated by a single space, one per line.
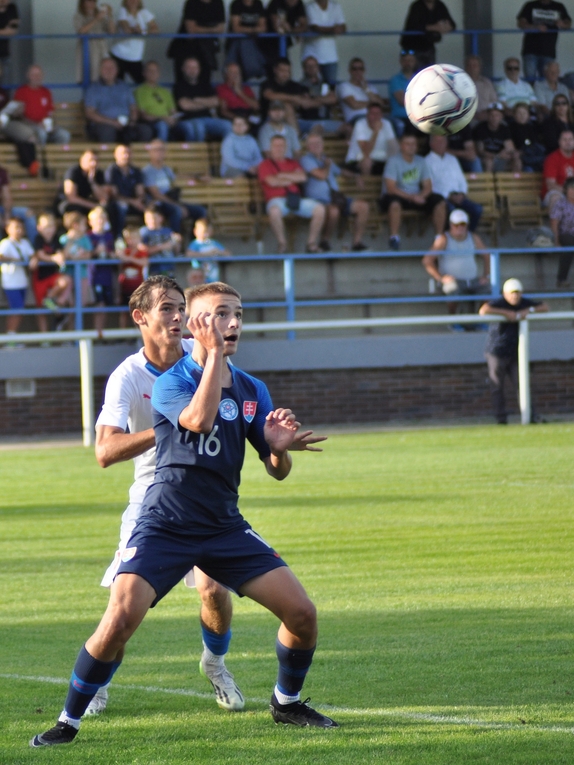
197 475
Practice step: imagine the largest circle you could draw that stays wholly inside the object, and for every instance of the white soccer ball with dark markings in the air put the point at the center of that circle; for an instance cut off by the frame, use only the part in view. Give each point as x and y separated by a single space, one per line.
441 99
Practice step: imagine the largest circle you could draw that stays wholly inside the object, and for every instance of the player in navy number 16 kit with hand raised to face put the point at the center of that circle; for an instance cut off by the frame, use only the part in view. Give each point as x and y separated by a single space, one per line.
205 409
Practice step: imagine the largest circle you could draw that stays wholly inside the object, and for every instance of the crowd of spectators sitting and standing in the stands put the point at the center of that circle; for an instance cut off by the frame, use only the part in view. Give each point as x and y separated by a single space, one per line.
271 130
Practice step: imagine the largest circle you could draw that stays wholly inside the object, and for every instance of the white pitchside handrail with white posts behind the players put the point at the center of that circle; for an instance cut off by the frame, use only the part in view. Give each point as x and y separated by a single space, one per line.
85 343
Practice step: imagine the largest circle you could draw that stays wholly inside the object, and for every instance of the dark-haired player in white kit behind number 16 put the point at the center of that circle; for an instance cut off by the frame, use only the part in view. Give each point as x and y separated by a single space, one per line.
124 431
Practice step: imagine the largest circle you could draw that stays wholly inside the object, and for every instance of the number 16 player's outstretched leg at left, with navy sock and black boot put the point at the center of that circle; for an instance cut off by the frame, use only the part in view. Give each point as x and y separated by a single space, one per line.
130 598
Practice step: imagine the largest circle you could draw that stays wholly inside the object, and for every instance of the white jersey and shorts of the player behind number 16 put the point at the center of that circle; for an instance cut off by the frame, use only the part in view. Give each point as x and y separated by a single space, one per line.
127 405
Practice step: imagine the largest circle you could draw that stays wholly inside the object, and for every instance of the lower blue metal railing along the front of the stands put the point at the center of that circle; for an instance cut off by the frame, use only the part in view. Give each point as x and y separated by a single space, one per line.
290 303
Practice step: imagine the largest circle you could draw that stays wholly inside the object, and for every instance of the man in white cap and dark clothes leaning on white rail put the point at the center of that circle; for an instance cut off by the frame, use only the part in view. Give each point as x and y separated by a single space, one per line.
502 342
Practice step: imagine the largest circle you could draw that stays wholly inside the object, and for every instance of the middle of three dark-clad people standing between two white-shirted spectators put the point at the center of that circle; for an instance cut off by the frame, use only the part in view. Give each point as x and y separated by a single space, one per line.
247 17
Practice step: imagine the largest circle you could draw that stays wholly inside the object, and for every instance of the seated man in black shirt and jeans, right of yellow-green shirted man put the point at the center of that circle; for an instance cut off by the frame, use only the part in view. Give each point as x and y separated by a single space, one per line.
195 97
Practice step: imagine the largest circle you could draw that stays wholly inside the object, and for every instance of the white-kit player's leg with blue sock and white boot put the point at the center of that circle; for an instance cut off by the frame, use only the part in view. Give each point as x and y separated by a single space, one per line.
215 616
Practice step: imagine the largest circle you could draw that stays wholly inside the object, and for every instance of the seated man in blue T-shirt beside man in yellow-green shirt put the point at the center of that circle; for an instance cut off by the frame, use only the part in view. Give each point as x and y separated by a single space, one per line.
111 109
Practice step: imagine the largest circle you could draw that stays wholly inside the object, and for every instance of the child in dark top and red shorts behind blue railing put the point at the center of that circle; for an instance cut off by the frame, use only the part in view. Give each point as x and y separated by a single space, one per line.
52 287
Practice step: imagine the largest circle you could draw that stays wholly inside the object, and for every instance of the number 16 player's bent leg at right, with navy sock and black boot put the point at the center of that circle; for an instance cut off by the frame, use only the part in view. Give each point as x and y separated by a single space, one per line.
280 591
